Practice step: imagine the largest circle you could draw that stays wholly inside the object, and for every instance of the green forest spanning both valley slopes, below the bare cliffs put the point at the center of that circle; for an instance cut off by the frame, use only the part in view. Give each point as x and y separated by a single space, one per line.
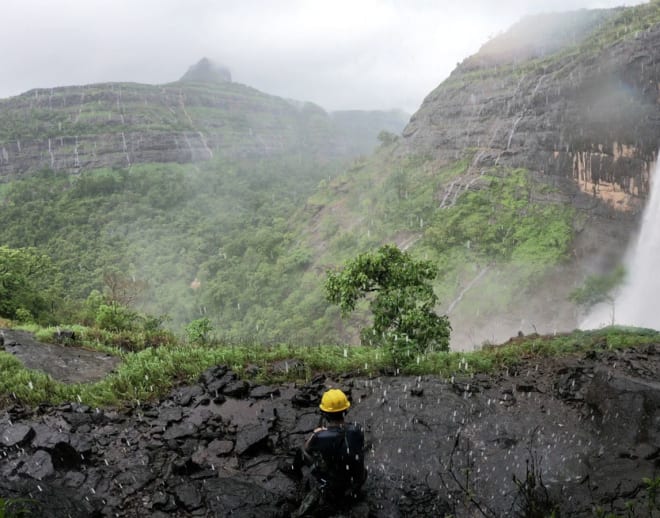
228 241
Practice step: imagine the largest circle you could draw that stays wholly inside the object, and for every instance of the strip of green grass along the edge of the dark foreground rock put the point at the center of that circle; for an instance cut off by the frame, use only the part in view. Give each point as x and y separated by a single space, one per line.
151 373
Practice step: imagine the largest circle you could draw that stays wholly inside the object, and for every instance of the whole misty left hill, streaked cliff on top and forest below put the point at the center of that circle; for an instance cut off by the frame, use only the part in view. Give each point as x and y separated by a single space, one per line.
178 200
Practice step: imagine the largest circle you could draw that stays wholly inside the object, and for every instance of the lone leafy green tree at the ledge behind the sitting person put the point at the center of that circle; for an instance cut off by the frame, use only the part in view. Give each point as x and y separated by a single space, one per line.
402 302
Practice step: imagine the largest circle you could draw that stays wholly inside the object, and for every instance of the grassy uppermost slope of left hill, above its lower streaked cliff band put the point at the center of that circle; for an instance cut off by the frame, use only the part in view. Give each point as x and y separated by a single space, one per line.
132 107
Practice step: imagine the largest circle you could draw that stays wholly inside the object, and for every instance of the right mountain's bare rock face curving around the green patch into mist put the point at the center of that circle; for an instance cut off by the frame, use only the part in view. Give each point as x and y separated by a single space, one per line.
574 99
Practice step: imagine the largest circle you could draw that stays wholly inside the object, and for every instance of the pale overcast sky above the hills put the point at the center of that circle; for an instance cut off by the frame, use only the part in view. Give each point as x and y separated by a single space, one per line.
340 54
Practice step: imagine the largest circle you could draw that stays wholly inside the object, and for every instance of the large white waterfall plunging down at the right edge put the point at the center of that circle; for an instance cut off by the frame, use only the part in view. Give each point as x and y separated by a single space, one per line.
636 303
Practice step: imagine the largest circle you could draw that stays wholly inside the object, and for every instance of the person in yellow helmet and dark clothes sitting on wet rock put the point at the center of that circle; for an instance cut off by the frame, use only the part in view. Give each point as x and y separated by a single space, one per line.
336 454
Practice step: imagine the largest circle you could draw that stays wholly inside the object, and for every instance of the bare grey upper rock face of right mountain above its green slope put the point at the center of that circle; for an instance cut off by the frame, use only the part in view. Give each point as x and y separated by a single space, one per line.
573 97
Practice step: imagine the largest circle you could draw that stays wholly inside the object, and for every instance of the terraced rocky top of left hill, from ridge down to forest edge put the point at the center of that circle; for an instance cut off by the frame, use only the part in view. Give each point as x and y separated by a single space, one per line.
115 125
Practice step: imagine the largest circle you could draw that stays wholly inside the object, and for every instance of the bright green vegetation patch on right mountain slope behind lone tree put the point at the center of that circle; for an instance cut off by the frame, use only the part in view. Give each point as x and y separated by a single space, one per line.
507 229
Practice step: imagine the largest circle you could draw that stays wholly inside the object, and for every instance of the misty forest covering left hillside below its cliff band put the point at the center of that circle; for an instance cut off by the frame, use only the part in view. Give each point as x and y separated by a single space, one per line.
163 226
